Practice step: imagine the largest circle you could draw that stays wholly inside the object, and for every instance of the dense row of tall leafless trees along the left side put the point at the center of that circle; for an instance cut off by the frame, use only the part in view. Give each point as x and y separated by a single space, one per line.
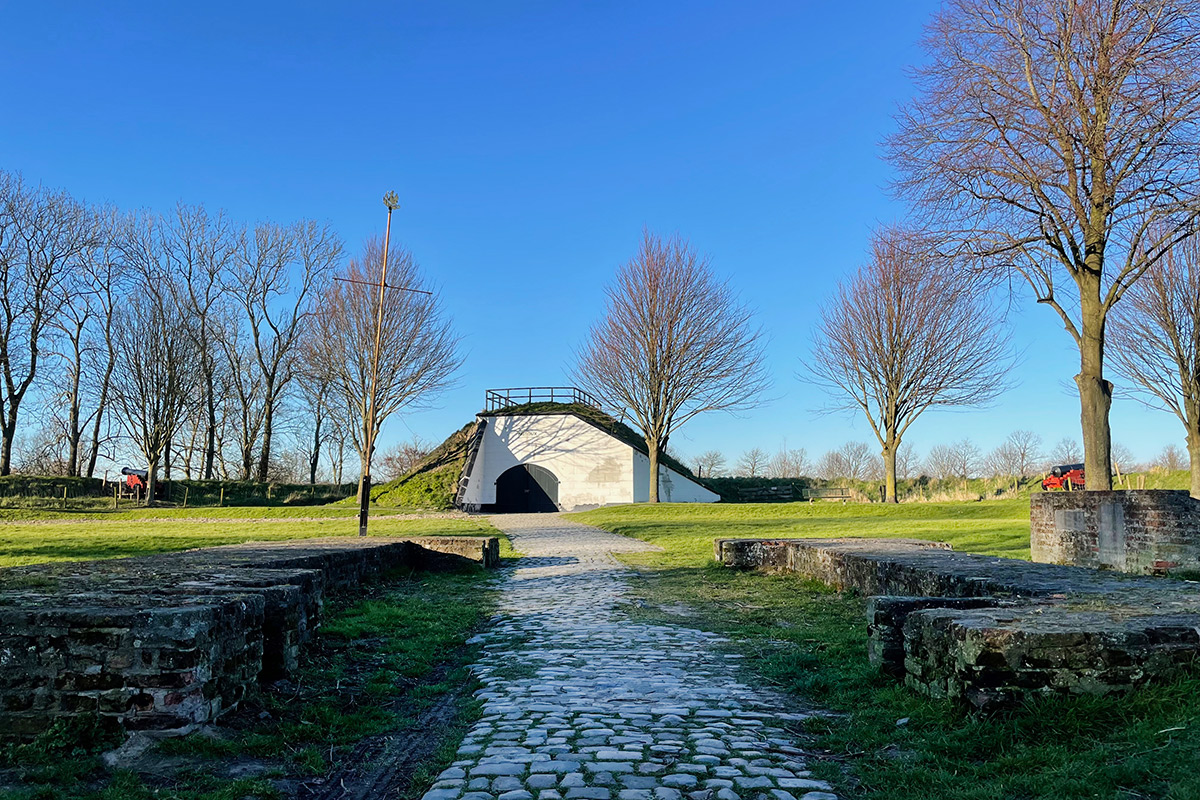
179 341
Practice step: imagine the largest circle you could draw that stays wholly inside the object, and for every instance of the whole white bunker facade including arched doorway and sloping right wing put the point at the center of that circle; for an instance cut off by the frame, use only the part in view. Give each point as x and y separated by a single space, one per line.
548 462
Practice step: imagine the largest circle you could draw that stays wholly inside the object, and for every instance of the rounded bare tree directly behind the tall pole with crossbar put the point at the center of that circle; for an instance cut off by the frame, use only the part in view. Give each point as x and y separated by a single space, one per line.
418 353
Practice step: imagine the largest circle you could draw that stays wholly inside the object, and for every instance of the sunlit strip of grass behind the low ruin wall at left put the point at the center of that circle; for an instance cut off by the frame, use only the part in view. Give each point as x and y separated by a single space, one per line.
73 542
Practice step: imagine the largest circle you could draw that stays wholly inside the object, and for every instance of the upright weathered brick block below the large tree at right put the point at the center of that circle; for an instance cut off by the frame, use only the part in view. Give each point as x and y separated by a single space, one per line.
1143 532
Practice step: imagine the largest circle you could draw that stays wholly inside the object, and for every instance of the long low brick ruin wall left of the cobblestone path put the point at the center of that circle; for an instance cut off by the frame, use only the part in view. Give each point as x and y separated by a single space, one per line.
176 641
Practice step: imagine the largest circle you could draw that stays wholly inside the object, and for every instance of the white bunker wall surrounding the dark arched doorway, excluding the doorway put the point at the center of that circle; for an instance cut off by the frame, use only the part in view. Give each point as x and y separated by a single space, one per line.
593 470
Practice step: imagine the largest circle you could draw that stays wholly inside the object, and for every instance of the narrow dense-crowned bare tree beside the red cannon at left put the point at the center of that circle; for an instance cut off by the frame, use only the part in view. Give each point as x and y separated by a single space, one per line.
158 378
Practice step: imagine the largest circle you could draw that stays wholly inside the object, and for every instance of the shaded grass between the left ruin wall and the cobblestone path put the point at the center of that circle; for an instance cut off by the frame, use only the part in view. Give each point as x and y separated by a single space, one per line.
379 666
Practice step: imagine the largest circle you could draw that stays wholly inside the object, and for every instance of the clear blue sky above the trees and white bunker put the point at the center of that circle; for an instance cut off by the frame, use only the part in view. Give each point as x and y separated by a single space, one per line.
531 143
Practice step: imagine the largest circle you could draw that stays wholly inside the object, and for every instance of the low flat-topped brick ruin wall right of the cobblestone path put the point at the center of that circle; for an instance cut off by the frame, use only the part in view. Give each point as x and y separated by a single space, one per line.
991 630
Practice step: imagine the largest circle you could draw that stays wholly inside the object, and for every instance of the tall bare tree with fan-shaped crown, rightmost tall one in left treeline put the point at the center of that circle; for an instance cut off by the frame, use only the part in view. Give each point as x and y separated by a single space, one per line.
278 274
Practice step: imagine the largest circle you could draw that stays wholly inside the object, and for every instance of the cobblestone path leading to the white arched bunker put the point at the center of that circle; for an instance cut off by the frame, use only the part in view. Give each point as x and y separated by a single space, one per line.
583 703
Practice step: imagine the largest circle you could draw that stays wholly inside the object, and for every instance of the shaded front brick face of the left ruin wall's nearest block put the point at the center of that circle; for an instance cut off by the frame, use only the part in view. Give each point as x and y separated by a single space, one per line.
147 663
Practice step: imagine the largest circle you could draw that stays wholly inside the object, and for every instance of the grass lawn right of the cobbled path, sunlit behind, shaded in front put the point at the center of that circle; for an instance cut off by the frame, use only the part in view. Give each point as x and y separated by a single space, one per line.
887 743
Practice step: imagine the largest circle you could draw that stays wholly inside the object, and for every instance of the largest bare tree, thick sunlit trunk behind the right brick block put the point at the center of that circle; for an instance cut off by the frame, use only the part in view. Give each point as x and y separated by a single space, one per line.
1060 140
